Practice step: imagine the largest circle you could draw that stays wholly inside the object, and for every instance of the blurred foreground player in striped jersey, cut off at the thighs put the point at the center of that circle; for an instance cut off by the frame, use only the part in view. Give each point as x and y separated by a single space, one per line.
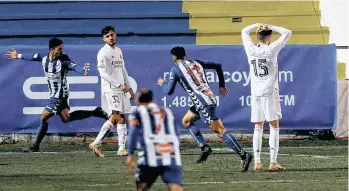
154 134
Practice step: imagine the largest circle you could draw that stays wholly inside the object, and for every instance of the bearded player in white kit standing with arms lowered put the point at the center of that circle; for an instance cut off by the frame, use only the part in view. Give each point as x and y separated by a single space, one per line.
115 85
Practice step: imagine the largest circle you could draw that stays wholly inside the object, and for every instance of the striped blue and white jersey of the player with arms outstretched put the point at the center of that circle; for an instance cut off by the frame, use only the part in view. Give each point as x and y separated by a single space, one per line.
55 72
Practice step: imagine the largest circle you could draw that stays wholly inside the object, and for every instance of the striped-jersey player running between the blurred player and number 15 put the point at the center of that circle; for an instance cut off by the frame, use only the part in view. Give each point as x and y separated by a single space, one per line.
191 76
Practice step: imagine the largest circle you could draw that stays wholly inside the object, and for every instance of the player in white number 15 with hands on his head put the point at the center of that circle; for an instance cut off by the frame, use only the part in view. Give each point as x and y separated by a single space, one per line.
265 102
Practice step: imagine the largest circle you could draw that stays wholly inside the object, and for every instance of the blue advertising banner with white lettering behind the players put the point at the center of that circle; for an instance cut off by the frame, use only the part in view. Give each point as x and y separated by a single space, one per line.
307 77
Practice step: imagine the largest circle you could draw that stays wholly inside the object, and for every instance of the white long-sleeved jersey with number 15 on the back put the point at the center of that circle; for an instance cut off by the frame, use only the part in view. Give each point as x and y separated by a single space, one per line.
262 60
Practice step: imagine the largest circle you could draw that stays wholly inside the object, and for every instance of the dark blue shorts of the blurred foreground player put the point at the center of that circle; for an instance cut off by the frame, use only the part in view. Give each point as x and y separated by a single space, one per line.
148 175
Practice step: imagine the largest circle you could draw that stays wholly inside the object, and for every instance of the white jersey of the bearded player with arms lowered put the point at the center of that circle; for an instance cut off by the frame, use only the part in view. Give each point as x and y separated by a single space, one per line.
111 67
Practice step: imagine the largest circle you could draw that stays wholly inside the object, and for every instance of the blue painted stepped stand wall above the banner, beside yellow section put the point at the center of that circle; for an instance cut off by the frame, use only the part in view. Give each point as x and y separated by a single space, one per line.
80 23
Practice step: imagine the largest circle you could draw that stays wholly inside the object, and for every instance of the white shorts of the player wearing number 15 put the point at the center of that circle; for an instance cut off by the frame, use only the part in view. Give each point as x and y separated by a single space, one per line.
266 108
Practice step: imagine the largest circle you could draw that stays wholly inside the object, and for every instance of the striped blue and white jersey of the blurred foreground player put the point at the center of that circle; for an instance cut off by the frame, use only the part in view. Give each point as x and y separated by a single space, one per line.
153 133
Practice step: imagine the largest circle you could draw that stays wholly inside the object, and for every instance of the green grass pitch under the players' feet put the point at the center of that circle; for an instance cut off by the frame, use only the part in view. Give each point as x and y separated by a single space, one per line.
311 165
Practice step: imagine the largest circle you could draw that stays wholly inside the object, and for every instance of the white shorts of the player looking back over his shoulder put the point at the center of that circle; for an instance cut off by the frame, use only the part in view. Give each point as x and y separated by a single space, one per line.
118 101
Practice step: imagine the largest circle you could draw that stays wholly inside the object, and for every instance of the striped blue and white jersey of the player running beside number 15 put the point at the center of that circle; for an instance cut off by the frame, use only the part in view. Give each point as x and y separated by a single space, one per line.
190 74
